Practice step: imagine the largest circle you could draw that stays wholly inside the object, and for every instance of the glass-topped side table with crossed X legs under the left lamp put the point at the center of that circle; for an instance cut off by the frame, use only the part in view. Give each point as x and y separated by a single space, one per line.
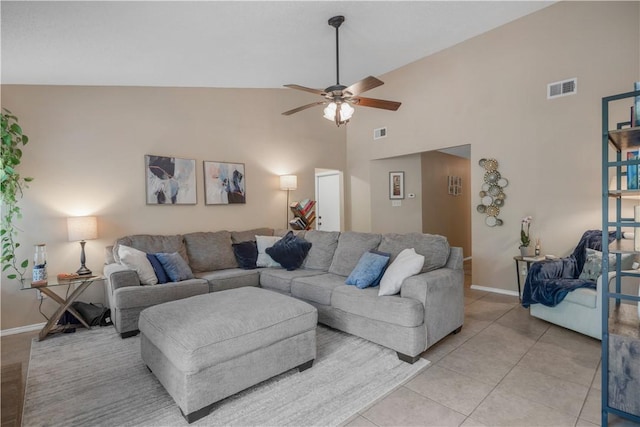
81 284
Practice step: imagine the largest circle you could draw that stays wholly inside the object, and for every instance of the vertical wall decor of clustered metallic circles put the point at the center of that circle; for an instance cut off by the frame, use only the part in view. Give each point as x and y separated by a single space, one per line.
492 195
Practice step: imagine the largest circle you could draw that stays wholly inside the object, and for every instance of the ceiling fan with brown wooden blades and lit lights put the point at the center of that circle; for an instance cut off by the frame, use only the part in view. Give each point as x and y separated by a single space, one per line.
339 98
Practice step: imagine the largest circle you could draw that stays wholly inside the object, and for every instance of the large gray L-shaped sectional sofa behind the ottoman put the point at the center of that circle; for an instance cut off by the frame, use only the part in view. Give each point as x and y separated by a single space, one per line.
429 306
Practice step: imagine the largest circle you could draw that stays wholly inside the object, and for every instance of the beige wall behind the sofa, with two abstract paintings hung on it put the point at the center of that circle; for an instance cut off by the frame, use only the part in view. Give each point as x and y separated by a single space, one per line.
86 152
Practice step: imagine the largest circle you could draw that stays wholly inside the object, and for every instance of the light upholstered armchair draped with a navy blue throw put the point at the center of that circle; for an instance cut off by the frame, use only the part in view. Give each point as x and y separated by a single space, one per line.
563 292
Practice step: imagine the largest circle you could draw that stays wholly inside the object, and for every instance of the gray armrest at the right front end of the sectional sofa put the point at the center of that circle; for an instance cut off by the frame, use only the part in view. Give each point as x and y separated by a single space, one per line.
441 292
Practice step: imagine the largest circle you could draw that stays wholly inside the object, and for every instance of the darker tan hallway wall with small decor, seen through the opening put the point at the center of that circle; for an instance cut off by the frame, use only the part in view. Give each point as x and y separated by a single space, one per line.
443 213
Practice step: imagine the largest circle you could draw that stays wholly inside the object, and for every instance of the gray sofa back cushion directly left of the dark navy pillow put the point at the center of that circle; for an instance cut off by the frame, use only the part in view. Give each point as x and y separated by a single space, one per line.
209 251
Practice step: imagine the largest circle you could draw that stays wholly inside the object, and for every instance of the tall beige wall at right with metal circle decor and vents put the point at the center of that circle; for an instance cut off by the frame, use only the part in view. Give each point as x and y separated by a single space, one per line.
490 92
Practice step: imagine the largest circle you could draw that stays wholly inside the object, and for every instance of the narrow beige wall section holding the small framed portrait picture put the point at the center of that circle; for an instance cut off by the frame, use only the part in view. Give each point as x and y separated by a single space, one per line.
407 217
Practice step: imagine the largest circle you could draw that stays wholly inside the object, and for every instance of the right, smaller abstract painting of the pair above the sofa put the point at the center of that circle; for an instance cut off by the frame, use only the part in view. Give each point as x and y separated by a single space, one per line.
224 183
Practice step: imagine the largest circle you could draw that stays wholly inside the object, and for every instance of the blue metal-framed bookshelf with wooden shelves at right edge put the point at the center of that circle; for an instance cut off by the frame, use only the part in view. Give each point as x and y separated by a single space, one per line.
620 321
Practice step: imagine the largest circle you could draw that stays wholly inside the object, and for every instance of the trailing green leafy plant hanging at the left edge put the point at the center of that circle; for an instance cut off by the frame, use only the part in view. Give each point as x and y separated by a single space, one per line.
12 186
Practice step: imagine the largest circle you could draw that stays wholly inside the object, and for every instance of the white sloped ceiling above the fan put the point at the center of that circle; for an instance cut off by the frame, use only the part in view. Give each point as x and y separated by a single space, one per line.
261 44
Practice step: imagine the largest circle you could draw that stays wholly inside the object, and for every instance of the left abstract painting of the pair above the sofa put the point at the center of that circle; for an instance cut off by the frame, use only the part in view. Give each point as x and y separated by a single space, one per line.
170 180
